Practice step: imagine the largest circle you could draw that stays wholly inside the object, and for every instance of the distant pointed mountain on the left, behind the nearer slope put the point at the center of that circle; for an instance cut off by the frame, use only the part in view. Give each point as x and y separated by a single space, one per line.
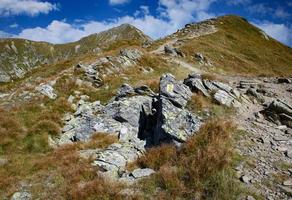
18 56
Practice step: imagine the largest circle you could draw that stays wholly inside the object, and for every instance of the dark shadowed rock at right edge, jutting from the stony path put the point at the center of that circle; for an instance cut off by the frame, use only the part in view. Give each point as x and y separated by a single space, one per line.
279 112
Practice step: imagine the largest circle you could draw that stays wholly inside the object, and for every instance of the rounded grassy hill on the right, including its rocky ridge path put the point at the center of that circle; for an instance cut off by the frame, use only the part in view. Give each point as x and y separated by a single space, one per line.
229 44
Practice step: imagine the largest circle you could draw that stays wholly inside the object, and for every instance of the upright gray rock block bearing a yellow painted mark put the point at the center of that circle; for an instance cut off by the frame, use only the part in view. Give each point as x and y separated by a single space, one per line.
178 93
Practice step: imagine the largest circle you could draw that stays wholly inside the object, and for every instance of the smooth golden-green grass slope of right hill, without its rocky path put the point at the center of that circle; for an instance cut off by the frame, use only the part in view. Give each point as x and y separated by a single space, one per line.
239 47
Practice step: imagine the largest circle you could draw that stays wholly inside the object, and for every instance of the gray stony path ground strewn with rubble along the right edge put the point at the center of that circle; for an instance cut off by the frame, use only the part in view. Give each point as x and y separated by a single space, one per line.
264 145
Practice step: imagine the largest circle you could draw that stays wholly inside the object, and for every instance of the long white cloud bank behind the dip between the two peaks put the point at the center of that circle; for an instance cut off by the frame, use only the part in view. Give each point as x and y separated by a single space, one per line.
174 14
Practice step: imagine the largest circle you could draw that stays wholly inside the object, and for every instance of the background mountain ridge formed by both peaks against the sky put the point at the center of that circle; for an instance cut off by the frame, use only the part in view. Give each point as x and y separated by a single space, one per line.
231 44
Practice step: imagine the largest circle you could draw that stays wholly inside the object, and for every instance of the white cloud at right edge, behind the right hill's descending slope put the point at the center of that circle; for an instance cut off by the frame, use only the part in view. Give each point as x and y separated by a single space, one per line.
281 32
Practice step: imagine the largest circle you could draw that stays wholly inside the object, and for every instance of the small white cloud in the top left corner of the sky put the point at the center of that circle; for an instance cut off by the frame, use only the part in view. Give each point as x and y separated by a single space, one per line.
25 7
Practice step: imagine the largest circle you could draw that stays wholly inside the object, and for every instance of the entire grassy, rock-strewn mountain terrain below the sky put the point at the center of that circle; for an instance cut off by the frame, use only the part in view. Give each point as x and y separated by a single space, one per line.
196 115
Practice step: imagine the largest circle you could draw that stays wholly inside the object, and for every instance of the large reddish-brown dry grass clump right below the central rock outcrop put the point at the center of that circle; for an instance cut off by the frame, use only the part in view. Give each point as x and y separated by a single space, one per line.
199 170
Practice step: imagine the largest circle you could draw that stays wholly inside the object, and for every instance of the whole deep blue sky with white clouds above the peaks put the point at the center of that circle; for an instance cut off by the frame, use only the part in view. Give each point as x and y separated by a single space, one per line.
61 21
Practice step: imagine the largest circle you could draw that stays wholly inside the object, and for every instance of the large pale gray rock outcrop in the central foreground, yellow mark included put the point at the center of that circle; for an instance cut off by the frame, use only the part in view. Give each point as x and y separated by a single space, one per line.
139 117
